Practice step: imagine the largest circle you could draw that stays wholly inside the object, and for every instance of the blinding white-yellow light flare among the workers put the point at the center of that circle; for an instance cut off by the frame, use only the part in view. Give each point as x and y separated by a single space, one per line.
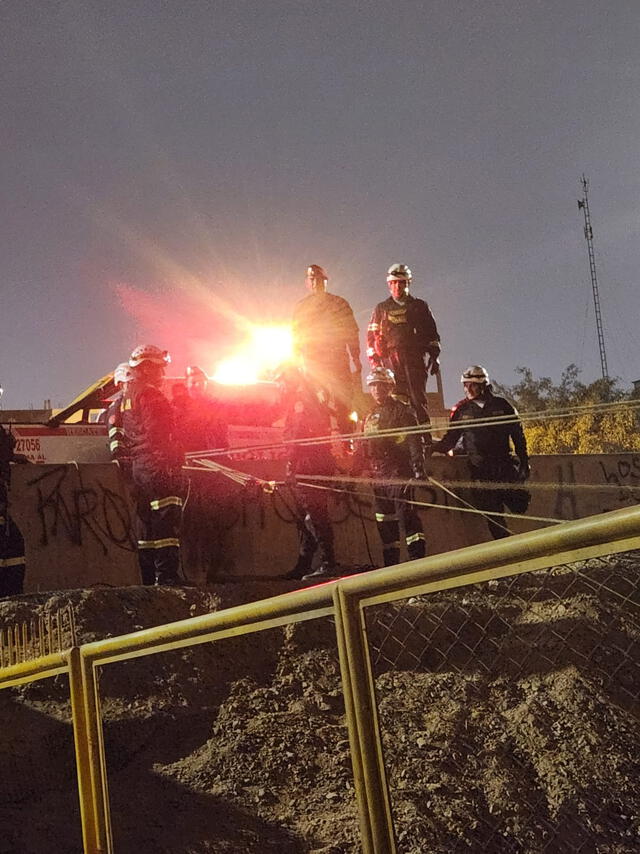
265 349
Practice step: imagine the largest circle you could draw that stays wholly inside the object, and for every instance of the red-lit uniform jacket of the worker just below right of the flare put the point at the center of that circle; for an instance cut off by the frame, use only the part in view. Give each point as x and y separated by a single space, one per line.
307 417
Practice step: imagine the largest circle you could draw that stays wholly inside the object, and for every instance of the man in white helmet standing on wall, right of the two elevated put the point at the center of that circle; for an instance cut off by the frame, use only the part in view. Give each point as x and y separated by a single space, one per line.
403 334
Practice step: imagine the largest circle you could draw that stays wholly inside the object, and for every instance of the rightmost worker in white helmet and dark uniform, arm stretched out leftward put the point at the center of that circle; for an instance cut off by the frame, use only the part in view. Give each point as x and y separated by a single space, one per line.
489 448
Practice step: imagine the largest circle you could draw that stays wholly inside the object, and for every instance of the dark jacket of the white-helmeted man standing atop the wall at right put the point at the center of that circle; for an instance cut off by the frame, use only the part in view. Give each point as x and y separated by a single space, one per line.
408 329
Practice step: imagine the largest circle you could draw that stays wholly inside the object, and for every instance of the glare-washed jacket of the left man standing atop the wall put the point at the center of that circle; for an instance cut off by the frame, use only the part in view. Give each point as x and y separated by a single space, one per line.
324 329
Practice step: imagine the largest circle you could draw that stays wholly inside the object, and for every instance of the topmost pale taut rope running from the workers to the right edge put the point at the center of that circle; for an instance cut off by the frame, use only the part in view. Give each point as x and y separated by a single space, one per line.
421 429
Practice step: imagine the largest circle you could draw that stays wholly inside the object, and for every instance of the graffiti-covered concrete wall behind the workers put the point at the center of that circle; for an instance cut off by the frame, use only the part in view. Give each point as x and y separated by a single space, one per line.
78 520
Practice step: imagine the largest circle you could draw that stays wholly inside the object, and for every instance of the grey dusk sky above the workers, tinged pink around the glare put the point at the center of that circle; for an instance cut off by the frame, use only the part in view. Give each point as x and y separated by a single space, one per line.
169 168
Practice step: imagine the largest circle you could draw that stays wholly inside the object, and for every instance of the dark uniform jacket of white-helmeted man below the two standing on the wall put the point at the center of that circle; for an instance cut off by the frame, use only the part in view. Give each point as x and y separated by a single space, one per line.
394 456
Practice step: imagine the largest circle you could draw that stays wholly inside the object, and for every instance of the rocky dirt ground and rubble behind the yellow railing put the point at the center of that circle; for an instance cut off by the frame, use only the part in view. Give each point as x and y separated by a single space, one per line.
509 714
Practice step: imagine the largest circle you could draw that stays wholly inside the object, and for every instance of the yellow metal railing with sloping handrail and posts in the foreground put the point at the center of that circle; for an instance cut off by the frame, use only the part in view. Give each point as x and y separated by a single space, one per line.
344 600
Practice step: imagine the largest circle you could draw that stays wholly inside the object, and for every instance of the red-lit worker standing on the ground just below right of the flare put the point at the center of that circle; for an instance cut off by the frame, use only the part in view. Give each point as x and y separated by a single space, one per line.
307 416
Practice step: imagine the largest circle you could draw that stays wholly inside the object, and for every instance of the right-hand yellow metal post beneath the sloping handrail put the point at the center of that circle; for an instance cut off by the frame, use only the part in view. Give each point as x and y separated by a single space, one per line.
364 730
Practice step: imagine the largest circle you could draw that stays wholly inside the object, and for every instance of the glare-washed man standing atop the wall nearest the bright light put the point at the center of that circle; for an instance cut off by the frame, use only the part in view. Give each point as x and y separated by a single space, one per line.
325 338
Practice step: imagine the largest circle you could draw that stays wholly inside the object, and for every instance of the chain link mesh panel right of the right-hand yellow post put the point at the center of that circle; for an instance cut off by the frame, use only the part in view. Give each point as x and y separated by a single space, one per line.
509 711
